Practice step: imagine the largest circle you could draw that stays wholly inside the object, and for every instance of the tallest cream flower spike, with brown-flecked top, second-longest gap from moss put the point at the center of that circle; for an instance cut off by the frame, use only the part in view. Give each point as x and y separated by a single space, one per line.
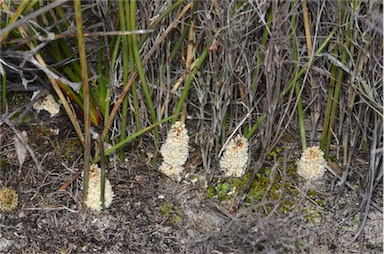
175 151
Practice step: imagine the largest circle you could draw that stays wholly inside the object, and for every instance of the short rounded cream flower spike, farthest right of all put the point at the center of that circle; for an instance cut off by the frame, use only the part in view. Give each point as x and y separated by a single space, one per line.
311 166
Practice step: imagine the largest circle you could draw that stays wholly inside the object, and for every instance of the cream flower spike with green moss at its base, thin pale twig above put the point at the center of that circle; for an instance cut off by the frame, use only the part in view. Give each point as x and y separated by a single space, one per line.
235 157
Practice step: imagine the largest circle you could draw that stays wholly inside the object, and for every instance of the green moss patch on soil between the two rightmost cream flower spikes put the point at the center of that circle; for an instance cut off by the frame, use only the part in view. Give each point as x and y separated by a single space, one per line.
263 190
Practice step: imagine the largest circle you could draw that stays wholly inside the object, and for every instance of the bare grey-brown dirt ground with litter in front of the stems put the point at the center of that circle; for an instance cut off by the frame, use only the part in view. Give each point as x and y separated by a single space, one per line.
152 214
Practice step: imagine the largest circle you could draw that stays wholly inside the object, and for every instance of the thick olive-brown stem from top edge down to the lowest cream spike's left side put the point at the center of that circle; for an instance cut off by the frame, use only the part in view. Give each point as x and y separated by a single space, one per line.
84 76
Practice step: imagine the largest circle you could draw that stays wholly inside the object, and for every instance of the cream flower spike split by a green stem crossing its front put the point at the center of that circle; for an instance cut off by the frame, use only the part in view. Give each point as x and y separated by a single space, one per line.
94 188
